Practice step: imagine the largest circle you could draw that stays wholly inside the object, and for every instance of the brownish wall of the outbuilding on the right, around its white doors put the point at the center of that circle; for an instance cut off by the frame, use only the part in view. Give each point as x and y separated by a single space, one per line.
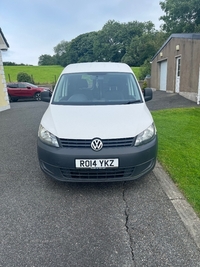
189 51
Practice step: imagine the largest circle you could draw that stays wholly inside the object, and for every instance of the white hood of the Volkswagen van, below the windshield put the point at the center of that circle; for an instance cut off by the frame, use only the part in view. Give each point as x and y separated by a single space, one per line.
102 121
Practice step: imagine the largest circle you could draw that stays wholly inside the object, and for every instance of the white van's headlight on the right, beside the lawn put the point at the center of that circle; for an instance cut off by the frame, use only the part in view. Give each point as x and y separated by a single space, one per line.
146 136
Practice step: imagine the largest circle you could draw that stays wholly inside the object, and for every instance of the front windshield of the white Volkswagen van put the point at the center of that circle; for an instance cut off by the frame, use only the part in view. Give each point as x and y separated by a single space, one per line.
96 89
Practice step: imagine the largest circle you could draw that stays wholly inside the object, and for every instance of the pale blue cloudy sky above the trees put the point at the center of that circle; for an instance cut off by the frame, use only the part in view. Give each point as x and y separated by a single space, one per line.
34 27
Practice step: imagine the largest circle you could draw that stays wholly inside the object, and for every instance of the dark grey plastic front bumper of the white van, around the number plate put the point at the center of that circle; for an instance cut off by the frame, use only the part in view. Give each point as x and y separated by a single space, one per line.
134 162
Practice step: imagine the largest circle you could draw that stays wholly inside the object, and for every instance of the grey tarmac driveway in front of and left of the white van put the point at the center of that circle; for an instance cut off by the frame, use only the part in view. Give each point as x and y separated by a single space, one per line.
47 223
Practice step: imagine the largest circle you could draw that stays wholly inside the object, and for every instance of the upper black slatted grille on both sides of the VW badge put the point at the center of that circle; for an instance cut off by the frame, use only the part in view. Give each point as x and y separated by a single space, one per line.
85 143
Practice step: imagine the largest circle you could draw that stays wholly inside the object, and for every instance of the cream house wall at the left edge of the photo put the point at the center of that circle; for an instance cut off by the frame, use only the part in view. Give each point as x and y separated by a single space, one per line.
4 101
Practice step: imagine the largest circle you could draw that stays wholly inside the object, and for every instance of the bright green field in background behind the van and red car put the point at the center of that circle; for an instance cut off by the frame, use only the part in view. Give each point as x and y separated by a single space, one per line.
41 74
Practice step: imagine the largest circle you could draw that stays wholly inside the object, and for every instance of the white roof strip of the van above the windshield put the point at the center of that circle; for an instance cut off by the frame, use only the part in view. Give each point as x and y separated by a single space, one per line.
97 67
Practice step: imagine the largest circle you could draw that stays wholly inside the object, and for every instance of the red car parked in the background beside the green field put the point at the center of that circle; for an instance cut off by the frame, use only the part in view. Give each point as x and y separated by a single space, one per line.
21 90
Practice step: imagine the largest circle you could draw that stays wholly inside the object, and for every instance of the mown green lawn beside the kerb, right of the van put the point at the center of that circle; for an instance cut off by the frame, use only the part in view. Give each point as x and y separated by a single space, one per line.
179 149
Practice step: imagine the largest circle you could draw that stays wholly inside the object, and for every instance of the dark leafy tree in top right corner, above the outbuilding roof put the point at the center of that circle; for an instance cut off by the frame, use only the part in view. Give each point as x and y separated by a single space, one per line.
181 16
